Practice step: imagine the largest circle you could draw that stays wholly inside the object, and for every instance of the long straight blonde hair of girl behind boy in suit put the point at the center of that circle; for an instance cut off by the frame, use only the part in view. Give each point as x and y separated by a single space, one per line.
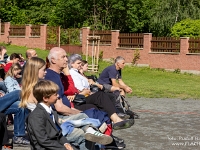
30 78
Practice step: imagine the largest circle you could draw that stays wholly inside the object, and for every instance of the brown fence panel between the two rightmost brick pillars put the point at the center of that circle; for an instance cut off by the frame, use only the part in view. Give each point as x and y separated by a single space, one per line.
165 44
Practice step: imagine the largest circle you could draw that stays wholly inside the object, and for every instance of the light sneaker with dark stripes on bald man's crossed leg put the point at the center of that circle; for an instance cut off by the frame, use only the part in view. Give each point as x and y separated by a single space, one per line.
98 137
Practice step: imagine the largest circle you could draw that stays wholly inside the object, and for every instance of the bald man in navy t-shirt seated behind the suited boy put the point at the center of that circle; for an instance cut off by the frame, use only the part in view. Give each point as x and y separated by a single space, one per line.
58 61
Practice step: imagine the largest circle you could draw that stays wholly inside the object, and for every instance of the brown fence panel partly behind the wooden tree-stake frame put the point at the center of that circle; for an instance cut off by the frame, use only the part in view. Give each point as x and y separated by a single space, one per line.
105 36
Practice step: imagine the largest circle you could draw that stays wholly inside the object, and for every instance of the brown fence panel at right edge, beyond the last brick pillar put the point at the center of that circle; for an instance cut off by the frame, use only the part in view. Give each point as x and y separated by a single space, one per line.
194 45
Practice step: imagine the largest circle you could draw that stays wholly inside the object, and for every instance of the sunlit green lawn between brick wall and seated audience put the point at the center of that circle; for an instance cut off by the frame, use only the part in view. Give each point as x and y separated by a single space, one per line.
146 82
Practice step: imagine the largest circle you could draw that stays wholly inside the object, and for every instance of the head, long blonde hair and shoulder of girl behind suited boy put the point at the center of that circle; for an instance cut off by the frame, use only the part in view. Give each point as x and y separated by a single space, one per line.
34 70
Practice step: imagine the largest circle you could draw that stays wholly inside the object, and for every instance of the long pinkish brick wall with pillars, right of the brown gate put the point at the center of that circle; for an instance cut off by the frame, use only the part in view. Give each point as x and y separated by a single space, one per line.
183 60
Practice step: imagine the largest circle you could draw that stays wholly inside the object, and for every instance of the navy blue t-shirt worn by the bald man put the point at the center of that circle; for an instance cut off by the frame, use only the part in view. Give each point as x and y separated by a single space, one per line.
55 77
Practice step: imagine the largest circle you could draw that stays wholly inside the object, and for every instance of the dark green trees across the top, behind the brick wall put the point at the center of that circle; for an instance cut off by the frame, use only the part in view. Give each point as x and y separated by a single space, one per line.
157 17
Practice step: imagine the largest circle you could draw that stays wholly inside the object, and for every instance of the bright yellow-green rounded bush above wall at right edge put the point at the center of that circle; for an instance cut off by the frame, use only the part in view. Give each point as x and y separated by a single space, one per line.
186 28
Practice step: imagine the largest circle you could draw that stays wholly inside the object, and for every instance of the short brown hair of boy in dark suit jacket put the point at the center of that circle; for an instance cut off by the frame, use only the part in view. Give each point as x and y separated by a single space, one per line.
44 88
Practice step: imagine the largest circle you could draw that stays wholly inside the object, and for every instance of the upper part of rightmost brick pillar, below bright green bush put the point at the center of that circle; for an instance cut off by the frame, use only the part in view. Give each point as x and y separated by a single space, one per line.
184 45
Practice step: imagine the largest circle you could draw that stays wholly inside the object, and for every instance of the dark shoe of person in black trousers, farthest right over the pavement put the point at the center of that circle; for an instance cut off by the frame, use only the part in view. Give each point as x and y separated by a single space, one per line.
123 124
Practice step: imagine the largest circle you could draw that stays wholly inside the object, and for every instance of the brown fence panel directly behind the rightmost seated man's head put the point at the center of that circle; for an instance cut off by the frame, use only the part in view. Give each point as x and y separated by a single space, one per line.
131 40
